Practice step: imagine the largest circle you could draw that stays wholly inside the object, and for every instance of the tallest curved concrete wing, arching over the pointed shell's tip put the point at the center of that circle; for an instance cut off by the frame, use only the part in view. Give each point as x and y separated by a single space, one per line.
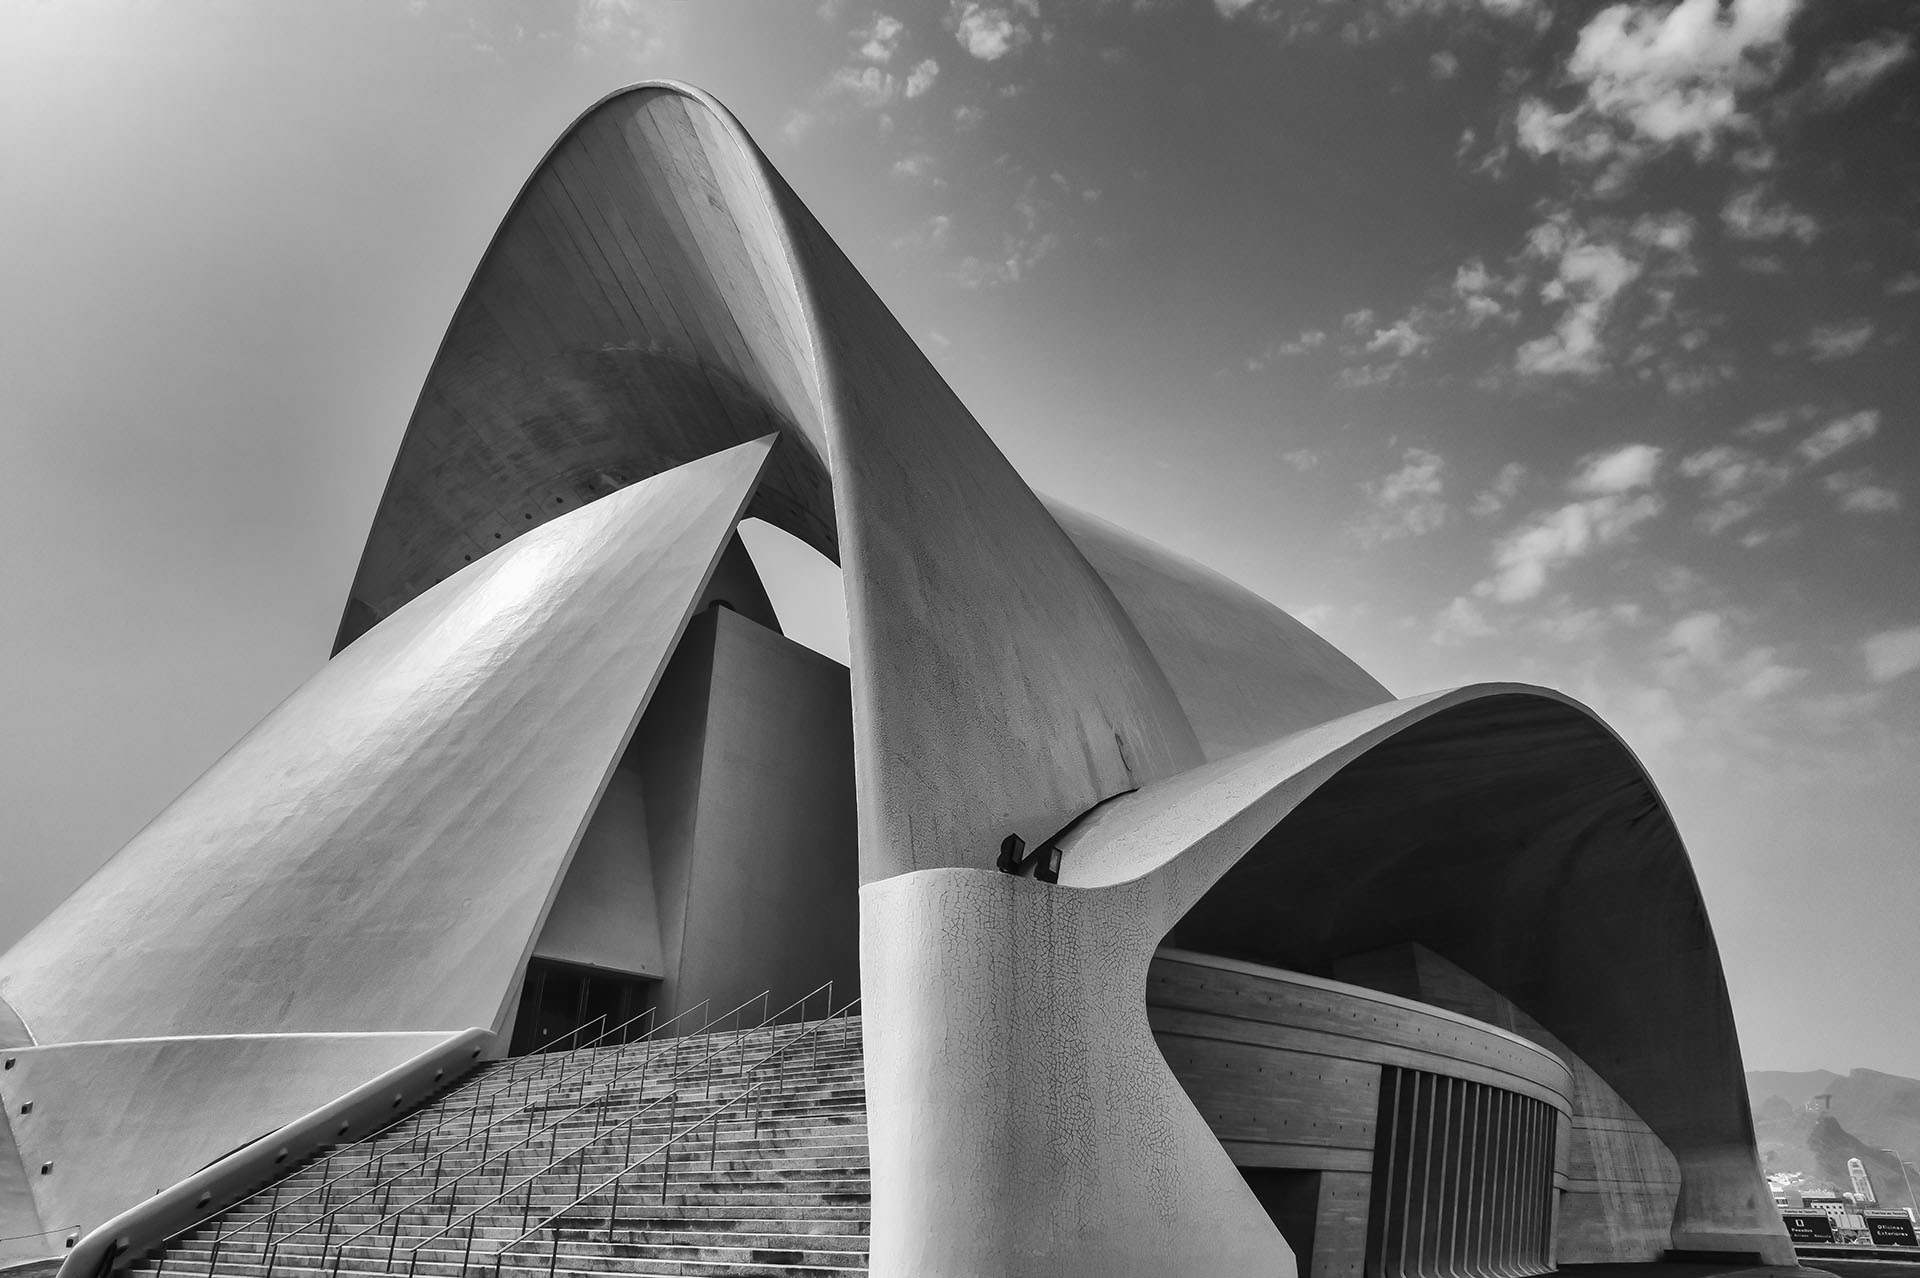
658 293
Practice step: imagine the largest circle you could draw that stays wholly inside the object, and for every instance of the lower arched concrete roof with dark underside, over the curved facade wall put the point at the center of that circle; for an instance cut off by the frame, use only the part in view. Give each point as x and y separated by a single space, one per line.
1508 830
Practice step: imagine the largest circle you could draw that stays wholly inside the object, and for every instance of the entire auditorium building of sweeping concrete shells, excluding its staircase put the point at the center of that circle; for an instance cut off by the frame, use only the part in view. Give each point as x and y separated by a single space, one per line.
1184 947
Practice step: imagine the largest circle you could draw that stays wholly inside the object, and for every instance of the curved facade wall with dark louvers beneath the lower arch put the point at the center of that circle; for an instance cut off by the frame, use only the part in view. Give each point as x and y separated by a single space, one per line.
1387 1137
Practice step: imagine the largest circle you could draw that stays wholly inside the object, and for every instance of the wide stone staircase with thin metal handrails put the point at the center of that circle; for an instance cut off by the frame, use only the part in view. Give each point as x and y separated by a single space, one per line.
734 1152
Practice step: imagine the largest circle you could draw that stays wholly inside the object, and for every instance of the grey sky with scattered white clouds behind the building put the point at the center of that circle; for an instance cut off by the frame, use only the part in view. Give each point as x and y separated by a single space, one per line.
1495 339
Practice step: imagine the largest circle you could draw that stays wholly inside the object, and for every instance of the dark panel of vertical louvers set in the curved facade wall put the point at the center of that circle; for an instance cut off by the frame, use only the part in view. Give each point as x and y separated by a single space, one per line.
1462 1181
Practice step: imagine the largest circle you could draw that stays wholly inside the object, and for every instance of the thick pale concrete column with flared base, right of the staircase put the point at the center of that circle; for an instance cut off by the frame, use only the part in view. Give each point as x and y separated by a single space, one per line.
1022 1120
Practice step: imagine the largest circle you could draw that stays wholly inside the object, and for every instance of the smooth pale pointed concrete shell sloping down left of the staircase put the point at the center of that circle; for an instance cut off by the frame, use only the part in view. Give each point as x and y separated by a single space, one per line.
379 853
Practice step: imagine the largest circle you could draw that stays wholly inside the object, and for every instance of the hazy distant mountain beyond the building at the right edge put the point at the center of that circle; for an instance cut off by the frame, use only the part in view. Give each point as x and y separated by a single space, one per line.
1869 1114
